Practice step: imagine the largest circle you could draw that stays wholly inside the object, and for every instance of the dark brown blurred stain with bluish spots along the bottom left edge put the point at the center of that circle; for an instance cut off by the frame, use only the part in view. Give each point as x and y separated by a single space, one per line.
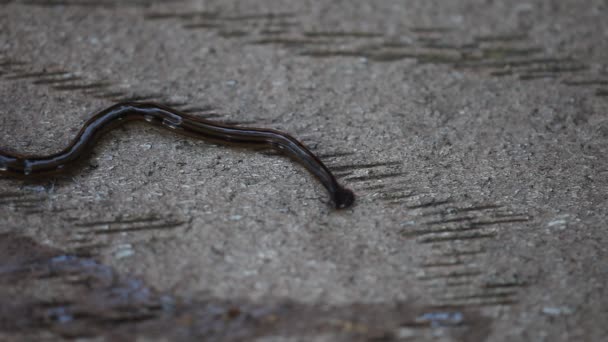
87 299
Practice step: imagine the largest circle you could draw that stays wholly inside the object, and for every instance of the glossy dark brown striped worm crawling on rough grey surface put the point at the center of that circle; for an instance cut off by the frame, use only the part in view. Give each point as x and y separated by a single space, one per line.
35 166
